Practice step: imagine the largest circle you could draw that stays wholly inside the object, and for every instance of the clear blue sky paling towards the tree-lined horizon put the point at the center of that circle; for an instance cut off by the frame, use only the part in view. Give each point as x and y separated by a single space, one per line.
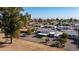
53 12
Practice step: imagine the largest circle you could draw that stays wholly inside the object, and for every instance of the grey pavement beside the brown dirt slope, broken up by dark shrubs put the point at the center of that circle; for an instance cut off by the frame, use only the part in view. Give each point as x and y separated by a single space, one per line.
69 46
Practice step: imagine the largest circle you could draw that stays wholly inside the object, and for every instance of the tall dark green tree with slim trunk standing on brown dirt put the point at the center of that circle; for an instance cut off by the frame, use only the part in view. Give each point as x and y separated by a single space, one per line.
11 22
